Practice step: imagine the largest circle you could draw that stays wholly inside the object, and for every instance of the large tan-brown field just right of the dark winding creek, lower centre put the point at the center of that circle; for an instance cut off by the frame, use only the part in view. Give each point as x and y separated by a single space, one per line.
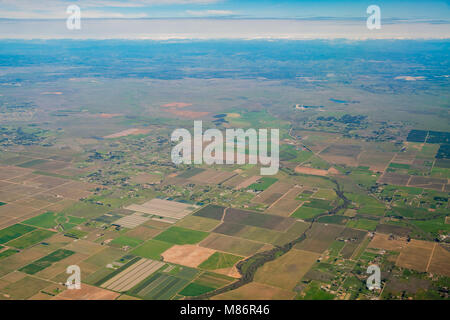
286 271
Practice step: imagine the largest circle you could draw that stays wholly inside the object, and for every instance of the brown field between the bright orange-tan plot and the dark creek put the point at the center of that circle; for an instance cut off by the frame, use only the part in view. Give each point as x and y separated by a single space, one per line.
232 245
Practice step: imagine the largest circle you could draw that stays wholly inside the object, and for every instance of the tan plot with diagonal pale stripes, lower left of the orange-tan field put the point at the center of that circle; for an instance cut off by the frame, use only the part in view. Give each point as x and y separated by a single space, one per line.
132 275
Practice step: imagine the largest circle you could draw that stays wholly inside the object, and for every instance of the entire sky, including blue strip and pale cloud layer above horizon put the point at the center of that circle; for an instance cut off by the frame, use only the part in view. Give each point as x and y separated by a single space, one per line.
224 19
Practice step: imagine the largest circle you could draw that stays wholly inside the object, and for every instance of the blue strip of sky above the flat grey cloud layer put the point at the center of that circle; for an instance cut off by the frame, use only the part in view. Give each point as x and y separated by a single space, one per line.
398 9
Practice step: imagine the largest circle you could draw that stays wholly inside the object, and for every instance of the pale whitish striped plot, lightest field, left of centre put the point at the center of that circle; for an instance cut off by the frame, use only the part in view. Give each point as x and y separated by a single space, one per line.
164 208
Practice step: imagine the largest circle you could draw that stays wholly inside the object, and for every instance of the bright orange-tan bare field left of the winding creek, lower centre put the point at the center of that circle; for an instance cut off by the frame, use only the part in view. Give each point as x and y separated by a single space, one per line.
187 255
